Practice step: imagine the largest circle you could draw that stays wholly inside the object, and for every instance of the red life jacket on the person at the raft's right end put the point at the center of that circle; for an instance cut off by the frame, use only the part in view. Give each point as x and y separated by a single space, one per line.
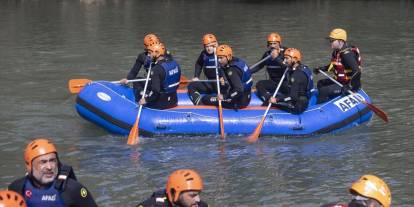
342 74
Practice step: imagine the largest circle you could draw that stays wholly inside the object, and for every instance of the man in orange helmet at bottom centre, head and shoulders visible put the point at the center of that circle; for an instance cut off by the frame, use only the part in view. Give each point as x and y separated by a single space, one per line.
183 189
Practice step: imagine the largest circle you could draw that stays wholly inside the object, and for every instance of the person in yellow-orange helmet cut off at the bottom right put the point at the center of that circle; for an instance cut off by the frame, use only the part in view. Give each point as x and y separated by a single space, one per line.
367 191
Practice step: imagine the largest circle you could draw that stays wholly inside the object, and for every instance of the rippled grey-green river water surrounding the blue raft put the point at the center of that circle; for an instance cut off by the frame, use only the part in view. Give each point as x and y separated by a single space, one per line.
46 43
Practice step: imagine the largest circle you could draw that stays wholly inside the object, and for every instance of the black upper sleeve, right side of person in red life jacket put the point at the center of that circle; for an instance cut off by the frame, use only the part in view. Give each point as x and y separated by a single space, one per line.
349 61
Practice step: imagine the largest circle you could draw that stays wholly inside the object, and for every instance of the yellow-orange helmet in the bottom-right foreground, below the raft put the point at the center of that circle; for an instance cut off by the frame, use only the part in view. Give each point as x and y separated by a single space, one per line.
371 186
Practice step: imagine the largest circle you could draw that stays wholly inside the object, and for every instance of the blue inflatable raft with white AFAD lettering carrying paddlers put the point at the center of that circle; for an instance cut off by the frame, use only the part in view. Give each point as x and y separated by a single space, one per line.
112 107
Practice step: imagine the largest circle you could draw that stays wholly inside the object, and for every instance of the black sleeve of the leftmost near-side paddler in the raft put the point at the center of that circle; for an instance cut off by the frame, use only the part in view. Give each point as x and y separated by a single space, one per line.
157 78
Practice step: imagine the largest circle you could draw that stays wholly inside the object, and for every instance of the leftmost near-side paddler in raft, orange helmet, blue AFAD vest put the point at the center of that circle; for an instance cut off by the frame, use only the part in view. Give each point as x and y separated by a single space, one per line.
165 78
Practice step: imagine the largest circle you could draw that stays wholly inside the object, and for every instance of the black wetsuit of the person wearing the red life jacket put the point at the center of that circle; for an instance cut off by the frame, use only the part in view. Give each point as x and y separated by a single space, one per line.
328 89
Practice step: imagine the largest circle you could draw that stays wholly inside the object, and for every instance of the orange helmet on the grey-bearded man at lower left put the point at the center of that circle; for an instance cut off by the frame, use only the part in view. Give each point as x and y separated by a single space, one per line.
36 148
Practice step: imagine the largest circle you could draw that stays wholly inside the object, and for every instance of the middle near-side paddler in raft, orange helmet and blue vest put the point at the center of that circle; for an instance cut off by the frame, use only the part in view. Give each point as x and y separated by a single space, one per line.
236 82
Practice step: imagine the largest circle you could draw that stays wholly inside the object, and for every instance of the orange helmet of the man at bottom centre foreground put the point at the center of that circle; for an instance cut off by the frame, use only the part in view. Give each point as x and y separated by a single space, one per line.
182 180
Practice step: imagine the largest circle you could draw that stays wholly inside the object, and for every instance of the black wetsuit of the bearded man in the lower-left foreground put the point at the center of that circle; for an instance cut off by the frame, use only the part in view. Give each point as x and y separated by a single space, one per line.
72 193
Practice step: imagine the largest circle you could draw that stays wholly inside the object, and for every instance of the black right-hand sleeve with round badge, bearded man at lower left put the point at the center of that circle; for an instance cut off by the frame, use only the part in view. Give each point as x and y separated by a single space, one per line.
77 195
